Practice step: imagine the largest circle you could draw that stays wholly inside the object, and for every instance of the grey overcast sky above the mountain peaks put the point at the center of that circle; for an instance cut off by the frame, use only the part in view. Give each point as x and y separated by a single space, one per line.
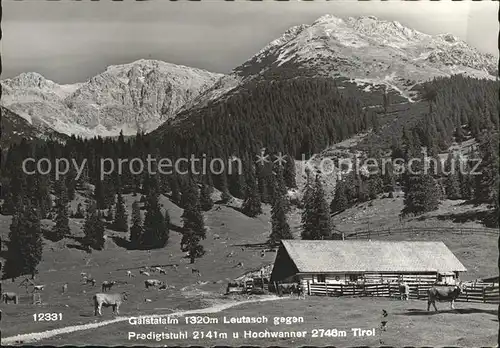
71 41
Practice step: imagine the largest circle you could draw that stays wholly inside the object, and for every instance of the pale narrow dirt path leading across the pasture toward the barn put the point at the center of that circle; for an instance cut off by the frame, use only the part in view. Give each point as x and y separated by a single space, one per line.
37 336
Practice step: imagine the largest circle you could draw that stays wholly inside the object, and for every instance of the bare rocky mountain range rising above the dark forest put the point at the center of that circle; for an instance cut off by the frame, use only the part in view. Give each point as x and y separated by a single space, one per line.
140 96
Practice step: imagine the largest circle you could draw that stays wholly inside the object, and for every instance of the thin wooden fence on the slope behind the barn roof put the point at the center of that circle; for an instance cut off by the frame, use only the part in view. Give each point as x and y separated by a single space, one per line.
368 234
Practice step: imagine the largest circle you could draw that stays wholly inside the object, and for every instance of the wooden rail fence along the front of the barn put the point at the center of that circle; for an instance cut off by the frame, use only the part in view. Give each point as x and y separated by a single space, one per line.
475 292
